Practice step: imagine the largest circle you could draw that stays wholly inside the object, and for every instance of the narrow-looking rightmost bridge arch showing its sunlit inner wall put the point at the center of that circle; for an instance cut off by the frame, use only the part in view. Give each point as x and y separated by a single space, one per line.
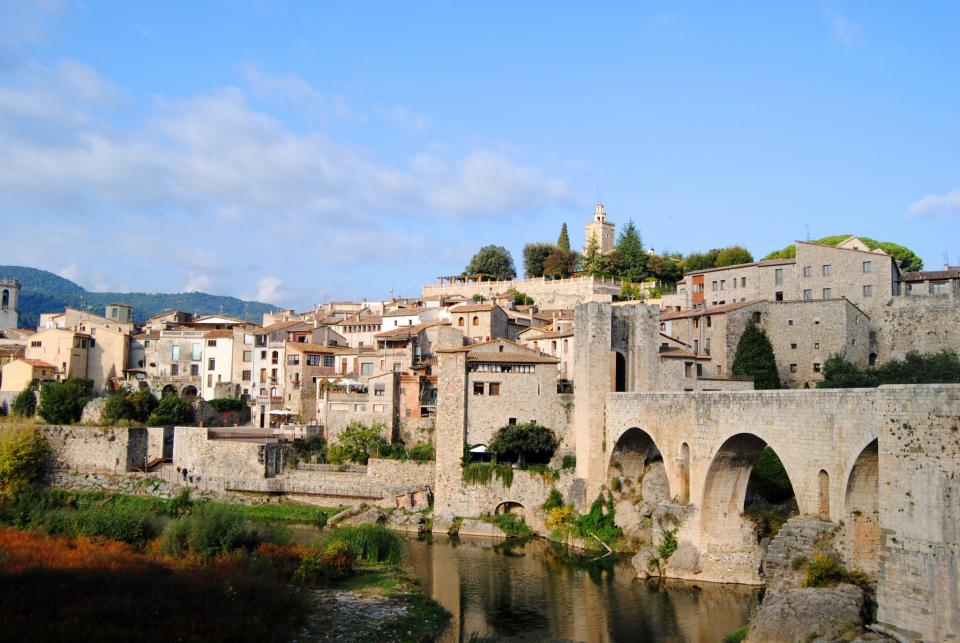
862 510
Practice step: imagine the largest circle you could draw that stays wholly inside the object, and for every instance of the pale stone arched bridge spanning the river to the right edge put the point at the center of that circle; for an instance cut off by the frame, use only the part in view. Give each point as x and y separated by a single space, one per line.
881 462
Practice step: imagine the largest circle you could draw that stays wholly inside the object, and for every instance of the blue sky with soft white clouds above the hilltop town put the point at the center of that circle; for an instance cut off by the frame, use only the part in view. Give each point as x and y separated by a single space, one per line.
300 152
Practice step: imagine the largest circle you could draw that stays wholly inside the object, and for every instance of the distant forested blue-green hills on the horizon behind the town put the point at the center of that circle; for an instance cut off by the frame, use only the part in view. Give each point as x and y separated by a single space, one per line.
44 292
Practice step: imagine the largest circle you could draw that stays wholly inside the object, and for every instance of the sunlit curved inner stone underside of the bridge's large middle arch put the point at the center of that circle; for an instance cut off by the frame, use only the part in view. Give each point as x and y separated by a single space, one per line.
725 490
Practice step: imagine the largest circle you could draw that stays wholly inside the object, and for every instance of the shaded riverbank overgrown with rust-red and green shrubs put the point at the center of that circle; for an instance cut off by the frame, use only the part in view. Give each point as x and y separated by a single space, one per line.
99 566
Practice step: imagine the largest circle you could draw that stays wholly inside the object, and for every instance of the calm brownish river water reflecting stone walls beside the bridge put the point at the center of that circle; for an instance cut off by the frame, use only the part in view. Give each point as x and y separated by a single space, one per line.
541 592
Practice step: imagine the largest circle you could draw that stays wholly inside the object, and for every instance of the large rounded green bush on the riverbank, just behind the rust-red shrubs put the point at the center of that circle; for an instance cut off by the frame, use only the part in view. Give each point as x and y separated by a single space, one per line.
208 531
